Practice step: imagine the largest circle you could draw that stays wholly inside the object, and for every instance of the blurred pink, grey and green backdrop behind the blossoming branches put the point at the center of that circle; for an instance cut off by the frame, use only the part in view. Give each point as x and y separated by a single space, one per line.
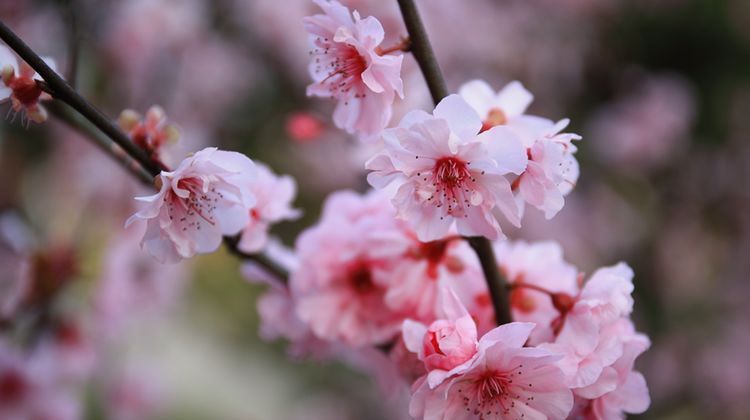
659 90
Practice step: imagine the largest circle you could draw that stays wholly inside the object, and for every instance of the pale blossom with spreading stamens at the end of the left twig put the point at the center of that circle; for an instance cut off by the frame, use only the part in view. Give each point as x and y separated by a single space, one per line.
205 198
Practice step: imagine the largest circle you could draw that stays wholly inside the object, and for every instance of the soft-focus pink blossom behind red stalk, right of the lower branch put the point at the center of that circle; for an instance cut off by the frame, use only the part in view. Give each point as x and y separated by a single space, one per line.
538 275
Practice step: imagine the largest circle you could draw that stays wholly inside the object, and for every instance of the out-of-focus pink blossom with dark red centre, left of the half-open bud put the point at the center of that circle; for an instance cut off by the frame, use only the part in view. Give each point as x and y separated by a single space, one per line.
345 268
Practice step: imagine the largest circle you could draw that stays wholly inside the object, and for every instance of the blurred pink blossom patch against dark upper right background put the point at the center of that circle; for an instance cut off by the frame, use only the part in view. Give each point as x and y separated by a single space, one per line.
647 127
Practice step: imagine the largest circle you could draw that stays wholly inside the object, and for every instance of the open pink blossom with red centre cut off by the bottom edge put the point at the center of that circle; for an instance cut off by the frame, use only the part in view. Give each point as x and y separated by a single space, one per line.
504 380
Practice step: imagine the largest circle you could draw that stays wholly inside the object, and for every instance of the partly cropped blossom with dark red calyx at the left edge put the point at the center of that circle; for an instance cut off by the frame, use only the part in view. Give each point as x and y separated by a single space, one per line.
19 84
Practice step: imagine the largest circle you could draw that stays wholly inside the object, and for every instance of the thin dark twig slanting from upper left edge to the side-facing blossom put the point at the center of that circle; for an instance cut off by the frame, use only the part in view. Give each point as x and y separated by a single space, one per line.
63 91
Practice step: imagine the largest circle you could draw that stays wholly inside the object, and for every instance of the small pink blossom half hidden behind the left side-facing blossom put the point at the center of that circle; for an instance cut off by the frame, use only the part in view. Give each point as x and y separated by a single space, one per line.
273 195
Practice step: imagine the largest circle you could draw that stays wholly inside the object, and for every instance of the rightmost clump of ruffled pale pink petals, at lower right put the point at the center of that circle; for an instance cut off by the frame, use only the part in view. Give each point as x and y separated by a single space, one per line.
600 344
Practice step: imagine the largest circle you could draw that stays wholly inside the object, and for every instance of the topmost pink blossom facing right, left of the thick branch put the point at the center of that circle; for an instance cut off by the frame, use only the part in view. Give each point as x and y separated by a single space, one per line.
346 65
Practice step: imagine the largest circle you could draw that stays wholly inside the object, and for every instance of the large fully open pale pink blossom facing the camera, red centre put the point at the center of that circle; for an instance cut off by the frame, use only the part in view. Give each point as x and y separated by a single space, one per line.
443 172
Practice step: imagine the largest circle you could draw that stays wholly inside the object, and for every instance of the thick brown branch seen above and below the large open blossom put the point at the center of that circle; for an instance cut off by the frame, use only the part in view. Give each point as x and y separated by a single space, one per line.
422 50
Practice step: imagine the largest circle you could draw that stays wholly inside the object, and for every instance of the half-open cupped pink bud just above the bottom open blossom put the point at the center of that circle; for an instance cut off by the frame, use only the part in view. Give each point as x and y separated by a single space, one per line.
447 342
